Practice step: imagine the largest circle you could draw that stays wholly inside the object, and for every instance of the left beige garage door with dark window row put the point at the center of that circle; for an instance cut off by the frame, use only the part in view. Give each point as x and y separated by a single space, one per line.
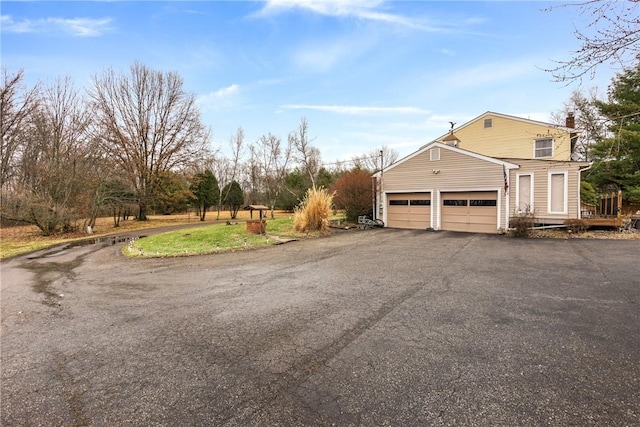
410 210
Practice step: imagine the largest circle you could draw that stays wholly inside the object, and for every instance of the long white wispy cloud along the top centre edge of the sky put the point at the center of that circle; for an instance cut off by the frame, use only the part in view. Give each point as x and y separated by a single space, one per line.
368 10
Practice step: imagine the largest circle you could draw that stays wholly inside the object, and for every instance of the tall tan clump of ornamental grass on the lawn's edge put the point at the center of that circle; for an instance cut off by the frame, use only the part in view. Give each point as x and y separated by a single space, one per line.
313 212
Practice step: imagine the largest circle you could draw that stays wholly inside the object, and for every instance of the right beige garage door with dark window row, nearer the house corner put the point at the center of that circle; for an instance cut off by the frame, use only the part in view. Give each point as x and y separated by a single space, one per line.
475 211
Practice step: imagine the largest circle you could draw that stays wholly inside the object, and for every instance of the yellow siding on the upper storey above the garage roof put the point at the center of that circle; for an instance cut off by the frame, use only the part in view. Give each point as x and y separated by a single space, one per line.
511 138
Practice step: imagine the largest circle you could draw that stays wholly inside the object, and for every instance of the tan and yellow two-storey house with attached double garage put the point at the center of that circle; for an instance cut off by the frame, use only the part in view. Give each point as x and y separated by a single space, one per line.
516 166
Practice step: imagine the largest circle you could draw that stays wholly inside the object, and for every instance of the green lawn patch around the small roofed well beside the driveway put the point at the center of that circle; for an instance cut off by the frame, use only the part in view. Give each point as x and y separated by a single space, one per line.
210 239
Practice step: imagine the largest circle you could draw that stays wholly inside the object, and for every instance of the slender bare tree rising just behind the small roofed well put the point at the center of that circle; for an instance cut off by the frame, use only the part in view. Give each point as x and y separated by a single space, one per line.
271 160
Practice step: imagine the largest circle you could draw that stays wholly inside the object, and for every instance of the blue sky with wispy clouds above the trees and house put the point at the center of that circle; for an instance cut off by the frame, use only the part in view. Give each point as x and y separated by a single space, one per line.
363 73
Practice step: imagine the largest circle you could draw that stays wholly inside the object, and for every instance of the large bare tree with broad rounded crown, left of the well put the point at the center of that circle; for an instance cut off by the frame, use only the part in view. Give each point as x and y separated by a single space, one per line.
148 124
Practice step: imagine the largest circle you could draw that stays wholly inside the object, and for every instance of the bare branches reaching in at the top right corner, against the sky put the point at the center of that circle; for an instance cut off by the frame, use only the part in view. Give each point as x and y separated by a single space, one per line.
612 35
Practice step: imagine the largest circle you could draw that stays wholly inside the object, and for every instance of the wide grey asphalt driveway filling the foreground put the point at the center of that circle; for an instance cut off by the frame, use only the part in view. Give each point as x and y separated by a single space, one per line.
365 328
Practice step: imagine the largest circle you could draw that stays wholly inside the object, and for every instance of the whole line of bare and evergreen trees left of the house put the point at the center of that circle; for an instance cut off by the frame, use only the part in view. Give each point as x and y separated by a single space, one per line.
134 143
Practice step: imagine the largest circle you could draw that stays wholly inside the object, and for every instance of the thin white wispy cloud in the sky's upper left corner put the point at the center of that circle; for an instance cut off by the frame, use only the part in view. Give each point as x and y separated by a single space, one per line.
76 27
